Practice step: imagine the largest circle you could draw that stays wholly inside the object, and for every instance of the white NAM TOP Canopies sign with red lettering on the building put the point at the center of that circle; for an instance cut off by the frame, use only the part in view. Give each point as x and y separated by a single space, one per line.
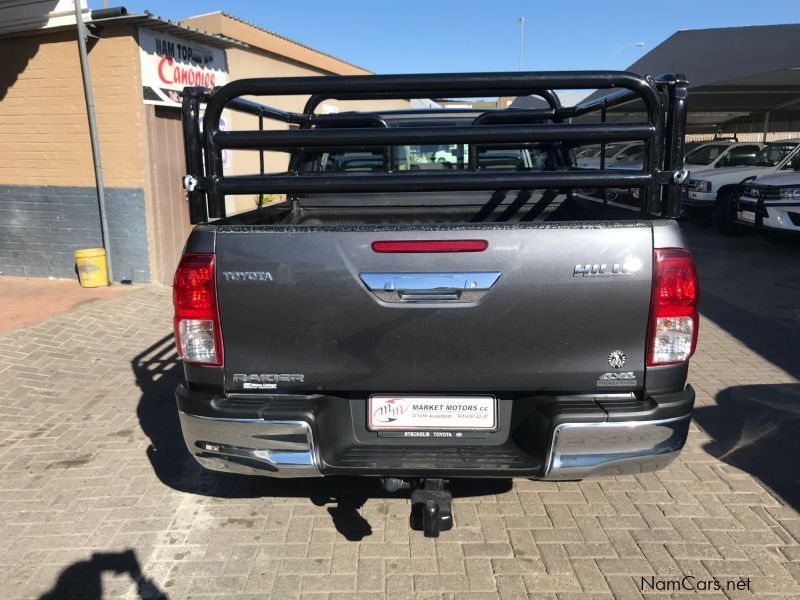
170 63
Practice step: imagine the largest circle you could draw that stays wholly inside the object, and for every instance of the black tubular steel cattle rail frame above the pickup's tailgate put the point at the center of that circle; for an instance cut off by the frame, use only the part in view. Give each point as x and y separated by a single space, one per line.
664 100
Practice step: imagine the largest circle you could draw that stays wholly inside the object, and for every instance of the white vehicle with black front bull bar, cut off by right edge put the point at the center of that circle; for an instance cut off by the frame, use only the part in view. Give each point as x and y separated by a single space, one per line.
772 202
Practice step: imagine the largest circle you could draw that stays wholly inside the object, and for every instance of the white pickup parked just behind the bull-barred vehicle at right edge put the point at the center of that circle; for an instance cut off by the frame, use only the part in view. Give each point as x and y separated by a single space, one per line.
714 189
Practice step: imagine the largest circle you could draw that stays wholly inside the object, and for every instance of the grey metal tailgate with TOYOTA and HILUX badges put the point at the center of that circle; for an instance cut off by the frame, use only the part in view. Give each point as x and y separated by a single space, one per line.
297 311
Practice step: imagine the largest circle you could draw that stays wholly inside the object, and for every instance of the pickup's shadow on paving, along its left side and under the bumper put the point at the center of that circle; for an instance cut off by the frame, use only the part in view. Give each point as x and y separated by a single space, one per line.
158 372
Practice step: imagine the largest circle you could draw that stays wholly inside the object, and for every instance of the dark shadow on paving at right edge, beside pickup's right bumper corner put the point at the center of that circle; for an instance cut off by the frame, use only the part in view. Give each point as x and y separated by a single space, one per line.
756 428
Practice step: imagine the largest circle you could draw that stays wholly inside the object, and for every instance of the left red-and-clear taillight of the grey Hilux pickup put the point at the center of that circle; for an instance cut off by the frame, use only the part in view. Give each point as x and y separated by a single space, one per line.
194 296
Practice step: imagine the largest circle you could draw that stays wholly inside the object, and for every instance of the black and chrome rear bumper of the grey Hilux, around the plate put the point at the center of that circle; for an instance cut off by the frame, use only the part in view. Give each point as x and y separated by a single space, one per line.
297 438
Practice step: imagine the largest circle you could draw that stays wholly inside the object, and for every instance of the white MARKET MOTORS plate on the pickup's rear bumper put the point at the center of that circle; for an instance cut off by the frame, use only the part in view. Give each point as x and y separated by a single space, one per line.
439 413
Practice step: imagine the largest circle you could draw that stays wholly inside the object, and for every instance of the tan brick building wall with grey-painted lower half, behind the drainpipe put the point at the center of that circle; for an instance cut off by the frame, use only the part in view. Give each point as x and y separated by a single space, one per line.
48 202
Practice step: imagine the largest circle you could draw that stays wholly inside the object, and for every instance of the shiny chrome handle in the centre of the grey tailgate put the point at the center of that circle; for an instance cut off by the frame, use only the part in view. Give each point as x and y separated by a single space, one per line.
460 287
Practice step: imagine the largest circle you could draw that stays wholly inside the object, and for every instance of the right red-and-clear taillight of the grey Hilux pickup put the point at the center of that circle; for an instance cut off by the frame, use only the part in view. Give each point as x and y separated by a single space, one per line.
673 315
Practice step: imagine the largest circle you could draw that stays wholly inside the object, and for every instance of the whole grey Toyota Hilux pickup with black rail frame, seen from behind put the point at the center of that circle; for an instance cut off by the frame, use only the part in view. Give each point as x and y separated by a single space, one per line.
442 293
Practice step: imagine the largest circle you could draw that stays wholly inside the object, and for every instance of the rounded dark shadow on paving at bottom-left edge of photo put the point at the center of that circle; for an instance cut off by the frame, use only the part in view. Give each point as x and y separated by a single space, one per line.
83 579
